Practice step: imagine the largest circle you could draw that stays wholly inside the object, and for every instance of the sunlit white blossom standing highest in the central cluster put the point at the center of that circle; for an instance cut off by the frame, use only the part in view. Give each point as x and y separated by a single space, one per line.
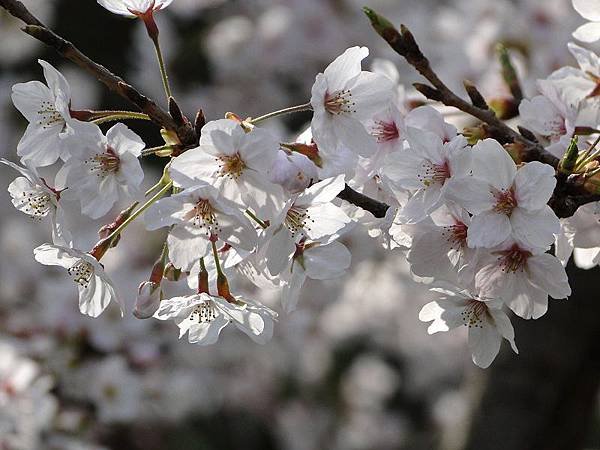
343 98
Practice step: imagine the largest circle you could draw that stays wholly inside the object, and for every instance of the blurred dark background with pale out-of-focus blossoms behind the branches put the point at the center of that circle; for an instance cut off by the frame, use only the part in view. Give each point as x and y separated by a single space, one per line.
352 368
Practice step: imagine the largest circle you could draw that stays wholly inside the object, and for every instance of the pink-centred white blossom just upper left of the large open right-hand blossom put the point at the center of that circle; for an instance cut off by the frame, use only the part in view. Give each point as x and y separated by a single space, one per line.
424 169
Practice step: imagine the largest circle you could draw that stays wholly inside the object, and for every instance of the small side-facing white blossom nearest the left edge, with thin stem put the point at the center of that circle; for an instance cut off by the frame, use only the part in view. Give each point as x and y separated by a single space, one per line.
31 195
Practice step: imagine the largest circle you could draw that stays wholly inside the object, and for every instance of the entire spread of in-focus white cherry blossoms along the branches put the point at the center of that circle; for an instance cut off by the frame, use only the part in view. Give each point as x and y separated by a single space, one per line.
472 219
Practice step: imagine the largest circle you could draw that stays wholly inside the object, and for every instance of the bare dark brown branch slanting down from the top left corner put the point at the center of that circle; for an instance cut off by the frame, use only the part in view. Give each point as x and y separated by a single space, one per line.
39 31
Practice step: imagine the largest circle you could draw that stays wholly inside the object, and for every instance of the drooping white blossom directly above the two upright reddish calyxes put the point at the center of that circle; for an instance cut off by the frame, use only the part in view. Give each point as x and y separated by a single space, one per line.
199 215
